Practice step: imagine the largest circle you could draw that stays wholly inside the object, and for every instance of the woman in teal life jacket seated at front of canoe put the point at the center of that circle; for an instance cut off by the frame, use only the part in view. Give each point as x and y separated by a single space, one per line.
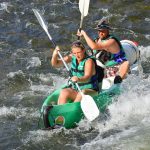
83 70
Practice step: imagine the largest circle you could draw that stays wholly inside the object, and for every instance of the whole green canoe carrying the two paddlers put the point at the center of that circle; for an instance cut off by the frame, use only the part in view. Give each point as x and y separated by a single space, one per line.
70 114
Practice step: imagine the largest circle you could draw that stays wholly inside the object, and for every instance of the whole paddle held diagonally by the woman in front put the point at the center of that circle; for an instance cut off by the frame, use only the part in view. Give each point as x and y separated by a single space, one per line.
88 105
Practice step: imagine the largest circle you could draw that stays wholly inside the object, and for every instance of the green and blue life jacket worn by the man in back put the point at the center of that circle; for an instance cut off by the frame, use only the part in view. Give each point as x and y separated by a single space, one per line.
109 59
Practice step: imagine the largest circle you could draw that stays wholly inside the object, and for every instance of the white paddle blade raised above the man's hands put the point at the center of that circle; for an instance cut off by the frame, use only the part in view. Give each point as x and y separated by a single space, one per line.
84 7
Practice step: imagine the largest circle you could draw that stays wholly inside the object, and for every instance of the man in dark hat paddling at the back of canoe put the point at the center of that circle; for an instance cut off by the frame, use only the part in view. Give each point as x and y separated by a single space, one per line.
109 51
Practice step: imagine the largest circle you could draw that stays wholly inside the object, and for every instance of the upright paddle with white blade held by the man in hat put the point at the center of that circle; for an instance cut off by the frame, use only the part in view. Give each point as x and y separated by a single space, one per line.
83 7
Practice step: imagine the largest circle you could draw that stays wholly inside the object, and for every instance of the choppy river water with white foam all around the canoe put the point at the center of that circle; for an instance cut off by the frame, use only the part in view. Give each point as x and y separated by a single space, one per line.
26 76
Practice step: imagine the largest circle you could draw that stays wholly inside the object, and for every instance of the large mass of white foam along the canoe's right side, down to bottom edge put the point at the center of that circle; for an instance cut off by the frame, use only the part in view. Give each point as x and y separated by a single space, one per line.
129 118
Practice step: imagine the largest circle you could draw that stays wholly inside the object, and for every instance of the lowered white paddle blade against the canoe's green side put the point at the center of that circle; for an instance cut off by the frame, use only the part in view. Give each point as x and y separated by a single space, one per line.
89 107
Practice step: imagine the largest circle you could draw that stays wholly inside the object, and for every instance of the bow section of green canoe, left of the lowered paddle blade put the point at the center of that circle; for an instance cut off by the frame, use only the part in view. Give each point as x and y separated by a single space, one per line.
67 115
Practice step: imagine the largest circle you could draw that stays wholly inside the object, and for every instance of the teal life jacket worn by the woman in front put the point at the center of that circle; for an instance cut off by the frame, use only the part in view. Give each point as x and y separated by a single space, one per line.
78 70
